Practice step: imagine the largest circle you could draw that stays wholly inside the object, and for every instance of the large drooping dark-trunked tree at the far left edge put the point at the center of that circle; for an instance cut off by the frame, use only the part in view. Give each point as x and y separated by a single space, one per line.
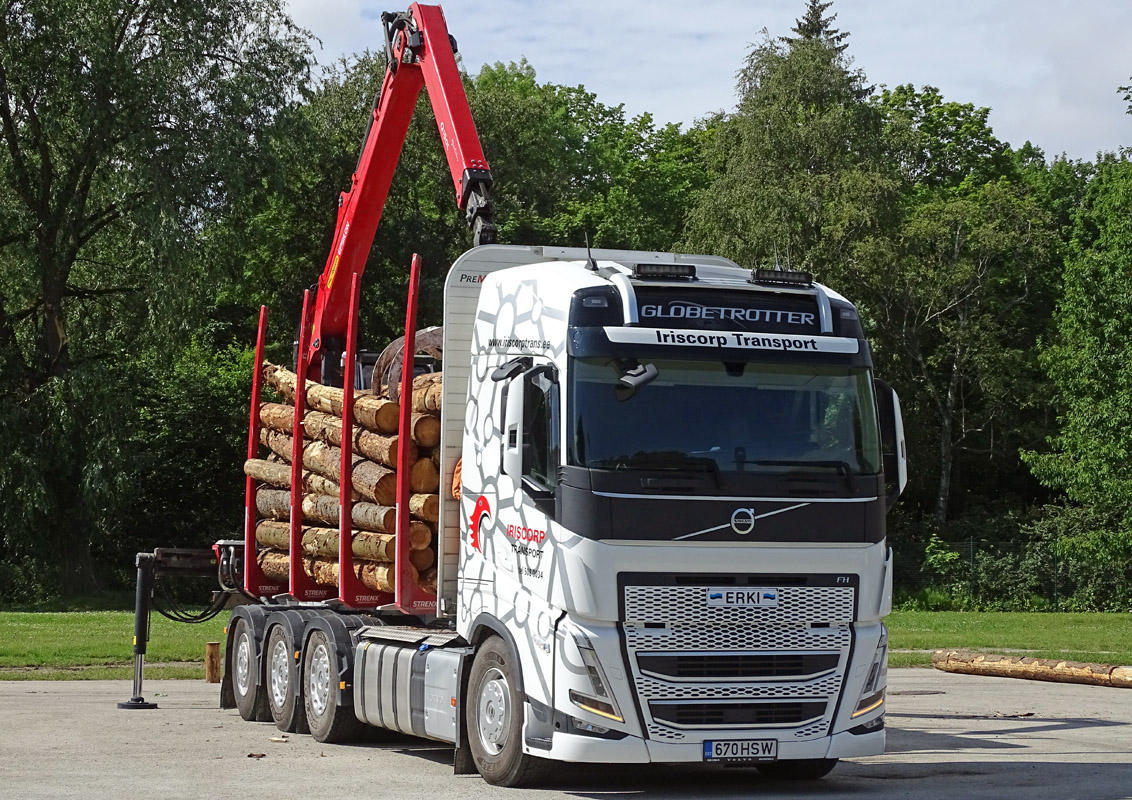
126 127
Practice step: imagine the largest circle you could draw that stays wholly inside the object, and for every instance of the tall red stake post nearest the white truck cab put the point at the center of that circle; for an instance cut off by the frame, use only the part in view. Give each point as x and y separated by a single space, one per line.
411 598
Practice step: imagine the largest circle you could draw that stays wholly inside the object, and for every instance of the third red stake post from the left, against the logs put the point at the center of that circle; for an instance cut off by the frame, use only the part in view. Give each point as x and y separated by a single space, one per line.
351 591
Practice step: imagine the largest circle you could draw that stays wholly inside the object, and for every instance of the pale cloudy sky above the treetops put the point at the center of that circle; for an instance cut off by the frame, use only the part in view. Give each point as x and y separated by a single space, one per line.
1049 70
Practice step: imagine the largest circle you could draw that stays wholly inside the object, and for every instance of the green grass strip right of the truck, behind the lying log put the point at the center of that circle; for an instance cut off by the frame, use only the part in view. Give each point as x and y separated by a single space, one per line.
1104 639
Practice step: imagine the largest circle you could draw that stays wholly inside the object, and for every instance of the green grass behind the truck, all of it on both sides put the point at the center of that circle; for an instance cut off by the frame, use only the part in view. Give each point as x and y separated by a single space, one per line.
89 646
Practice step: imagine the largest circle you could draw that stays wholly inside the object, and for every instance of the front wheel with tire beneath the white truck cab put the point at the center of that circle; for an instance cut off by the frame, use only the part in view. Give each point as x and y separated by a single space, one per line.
494 717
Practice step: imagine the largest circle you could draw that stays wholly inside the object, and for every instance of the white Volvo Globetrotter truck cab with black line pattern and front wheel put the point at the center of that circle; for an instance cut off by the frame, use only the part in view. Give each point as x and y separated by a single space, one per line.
675 477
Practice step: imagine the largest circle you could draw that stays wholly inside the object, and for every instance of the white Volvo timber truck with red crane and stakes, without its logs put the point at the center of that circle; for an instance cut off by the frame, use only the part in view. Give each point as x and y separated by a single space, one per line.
670 544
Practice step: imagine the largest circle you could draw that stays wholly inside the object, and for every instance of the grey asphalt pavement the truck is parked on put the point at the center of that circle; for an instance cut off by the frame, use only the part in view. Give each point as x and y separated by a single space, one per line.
950 737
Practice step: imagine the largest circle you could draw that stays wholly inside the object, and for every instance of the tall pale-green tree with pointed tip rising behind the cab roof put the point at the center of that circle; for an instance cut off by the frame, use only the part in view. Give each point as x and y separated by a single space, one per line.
800 176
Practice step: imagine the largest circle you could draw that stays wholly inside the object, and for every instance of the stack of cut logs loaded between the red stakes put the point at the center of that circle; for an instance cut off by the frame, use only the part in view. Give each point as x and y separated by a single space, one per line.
374 480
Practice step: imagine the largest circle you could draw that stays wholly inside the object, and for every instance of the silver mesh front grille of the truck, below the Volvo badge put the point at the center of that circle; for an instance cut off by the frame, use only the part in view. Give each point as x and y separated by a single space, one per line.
706 668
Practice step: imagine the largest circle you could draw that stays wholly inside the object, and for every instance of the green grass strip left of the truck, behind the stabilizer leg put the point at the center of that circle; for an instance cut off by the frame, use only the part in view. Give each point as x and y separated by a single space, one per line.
100 646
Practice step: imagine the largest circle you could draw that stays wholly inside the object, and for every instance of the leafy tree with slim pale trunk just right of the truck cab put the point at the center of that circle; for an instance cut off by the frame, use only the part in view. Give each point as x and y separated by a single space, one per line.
957 294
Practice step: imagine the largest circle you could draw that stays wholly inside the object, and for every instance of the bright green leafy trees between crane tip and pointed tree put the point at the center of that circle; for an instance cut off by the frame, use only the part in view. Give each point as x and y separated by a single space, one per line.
568 167
